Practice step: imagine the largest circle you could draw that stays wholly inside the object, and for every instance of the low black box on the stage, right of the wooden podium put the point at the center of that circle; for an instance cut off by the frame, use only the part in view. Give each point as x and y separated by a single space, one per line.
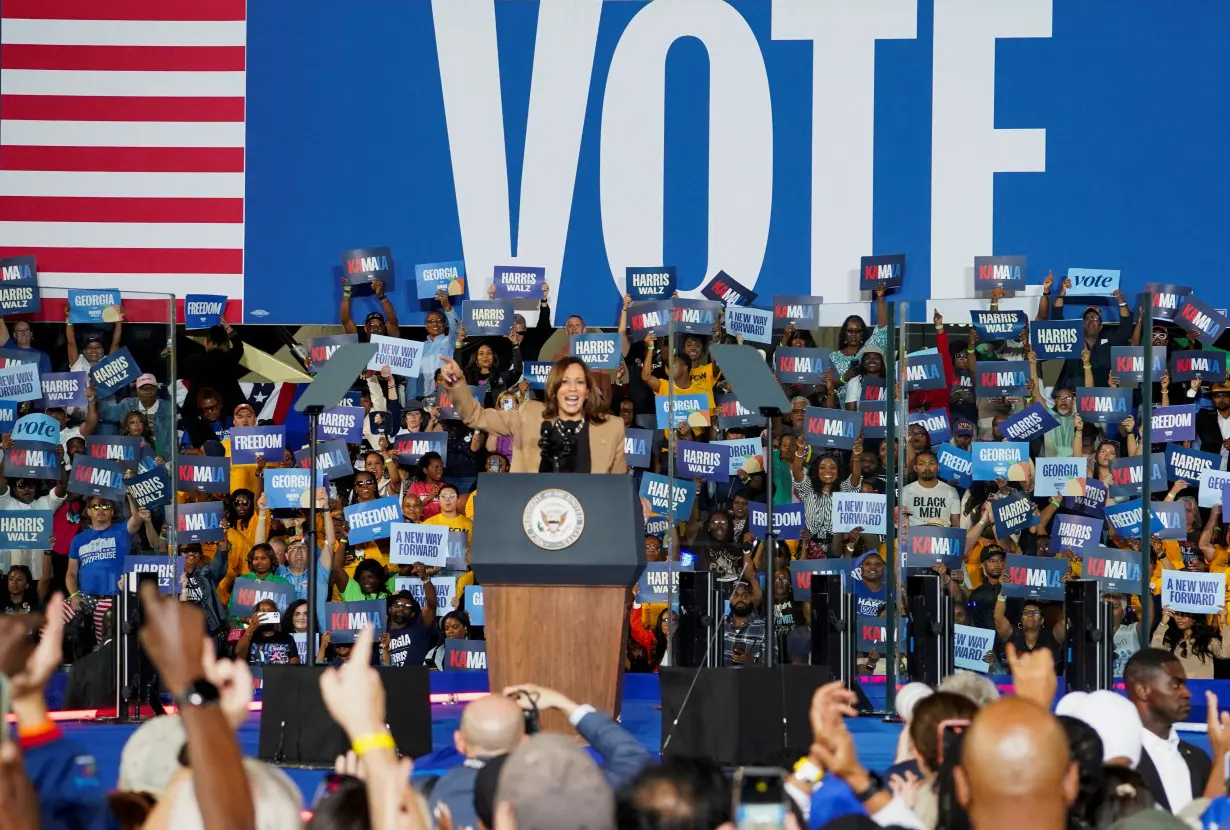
737 717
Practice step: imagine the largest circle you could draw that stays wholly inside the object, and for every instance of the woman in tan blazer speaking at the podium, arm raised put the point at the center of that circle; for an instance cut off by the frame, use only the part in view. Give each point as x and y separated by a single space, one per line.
568 432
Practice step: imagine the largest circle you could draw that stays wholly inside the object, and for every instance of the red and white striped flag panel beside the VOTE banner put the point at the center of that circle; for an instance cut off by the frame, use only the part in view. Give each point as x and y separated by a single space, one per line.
122 147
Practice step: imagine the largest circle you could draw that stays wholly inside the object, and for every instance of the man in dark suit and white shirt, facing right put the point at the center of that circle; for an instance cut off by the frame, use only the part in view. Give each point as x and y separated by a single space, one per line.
1174 770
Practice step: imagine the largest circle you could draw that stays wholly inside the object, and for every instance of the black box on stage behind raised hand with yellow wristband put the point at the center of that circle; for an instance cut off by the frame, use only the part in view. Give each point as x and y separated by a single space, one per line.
296 730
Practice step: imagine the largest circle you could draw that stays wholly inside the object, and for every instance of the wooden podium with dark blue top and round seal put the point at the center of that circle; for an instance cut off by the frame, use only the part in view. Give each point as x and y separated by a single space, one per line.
557 556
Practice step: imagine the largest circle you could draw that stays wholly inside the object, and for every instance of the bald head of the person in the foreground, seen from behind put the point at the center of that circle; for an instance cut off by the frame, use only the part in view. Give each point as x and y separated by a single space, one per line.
1015 770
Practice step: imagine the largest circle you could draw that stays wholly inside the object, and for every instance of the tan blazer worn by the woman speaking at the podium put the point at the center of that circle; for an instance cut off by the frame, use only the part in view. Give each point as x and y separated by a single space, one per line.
525 425
